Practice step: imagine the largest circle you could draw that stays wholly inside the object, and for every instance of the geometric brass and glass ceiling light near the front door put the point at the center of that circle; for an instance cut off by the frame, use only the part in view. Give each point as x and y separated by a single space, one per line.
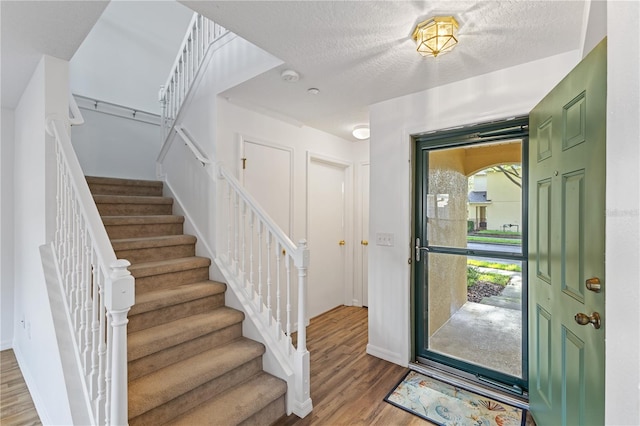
436 35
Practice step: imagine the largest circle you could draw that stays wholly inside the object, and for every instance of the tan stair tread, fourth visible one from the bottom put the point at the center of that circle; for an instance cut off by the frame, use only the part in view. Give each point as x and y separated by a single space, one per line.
159 299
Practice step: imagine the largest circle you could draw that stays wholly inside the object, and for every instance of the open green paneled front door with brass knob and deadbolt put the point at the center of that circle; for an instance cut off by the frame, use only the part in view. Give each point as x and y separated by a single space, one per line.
566 248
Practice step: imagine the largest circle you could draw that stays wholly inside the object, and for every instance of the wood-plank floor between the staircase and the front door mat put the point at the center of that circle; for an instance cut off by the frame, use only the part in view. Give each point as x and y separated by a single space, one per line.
347 385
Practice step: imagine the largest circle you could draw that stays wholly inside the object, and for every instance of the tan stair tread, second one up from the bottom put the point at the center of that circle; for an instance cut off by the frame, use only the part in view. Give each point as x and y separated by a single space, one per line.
174 380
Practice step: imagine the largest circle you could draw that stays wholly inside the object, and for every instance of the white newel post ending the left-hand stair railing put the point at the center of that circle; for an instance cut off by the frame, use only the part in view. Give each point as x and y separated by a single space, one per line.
119 299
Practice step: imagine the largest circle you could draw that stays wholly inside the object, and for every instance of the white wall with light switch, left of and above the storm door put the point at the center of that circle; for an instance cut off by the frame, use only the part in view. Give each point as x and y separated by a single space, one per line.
498 95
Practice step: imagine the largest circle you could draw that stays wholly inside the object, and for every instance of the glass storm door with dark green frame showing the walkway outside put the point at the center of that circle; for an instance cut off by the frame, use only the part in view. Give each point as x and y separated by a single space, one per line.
471 297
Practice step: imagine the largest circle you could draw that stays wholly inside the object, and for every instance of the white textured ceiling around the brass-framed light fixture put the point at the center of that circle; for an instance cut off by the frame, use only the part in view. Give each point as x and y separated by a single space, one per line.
361 52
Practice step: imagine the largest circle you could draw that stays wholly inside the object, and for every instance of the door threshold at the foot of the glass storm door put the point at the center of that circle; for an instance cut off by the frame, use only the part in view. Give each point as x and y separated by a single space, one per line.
471 382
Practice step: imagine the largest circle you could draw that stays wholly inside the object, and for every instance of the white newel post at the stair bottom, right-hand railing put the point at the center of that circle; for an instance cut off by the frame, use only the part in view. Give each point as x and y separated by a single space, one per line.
302 364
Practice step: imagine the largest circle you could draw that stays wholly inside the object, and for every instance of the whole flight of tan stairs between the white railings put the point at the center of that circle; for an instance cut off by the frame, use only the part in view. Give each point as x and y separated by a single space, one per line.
188 362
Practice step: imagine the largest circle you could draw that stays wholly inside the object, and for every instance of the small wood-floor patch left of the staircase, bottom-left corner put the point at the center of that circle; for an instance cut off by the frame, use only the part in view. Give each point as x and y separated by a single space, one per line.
16 405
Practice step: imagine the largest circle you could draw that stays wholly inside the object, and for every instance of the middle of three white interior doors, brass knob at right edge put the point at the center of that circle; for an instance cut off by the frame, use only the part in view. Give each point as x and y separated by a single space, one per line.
327 235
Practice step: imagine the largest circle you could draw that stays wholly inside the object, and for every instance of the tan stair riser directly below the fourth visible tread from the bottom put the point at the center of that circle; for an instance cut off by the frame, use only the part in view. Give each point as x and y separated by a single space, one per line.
172 313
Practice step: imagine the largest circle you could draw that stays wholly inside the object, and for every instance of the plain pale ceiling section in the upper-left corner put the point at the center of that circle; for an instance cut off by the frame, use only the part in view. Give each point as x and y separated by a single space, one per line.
31 28
